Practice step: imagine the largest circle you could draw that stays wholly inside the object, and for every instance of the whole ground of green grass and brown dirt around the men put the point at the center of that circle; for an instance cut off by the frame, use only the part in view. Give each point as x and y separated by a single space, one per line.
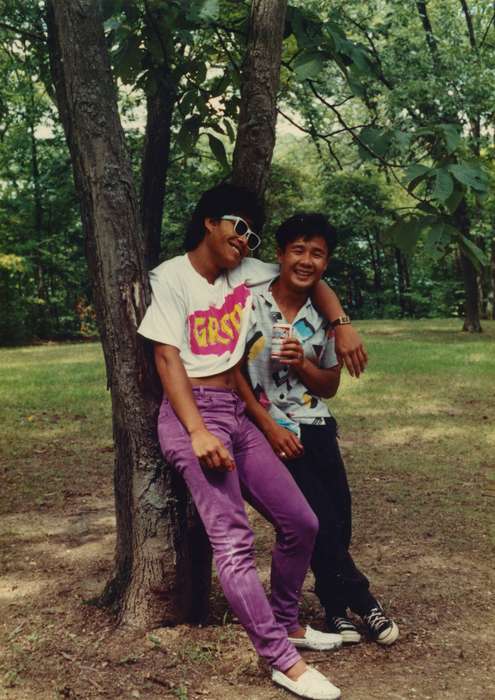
418 437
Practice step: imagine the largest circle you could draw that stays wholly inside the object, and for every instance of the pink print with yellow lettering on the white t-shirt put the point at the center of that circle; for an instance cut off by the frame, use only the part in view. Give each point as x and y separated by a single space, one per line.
216 330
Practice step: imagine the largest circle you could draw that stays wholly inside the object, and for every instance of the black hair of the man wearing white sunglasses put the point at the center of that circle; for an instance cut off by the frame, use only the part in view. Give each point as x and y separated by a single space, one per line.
222 199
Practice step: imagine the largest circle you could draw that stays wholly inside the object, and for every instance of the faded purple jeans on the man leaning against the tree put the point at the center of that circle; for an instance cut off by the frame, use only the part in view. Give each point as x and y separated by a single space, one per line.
266 484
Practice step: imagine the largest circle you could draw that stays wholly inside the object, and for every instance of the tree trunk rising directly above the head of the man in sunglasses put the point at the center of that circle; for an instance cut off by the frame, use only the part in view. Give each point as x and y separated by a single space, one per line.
260 78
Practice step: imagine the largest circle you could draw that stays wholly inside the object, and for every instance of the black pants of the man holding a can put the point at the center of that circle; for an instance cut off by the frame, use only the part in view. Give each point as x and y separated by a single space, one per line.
320 474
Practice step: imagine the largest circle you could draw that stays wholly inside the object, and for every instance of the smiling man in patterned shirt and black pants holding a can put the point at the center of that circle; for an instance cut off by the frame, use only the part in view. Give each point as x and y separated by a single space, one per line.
284 397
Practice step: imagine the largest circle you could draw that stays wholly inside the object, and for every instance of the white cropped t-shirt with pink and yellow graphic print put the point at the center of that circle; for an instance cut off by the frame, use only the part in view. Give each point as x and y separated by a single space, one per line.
208 323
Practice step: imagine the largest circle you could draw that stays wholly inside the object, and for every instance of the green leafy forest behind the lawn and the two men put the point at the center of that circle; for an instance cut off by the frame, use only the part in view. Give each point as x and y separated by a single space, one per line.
385 123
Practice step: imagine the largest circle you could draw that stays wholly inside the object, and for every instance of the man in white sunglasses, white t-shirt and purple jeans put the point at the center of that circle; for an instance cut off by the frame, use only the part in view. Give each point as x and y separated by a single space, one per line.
198 320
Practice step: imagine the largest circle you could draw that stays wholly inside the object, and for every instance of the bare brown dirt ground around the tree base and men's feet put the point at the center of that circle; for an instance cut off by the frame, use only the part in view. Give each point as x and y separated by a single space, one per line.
55 645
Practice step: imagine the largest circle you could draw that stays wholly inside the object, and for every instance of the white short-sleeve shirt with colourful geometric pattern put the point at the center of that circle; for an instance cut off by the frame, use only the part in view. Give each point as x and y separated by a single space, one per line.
278 387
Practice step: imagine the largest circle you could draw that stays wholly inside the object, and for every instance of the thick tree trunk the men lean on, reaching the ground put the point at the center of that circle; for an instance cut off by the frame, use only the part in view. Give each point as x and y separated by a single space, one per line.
152 534
